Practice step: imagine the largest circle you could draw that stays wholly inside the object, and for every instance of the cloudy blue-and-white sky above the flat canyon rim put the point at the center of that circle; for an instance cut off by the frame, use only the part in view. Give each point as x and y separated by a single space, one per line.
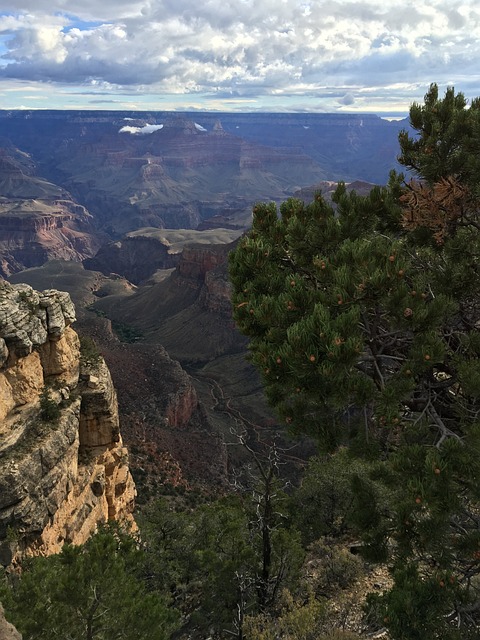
376 56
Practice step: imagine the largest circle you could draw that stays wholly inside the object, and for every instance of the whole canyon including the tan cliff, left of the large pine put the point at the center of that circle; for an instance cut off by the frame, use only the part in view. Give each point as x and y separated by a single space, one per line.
134 214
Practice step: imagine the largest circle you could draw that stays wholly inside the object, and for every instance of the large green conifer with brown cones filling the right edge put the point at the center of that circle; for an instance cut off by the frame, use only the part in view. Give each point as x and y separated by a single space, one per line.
362 315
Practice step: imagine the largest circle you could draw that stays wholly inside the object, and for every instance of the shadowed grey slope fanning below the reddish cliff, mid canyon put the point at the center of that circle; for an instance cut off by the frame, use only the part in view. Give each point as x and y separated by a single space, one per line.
189 312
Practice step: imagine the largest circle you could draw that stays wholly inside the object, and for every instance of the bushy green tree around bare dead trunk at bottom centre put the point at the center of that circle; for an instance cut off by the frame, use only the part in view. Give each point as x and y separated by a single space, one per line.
224 559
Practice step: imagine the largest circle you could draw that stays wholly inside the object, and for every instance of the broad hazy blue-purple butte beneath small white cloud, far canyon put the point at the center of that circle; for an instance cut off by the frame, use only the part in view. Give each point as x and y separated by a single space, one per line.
176 176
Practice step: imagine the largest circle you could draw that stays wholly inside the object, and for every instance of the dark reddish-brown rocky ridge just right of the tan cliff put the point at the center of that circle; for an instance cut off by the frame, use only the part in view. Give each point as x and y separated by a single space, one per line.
164 420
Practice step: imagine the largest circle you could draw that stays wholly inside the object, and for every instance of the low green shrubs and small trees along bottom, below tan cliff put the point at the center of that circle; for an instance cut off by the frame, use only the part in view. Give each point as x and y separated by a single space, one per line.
234 566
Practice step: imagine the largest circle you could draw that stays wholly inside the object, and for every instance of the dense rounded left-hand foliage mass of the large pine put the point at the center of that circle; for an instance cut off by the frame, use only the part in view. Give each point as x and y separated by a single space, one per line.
310 290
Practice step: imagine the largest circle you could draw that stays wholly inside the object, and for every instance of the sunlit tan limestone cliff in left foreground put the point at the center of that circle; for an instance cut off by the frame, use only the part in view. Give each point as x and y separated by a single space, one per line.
63 468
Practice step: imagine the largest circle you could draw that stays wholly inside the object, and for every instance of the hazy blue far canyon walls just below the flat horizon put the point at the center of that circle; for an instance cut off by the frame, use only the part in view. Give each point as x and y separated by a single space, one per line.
71 181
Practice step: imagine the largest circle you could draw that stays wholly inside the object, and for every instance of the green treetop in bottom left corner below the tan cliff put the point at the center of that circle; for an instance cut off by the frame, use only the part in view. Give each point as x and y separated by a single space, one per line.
89 592
